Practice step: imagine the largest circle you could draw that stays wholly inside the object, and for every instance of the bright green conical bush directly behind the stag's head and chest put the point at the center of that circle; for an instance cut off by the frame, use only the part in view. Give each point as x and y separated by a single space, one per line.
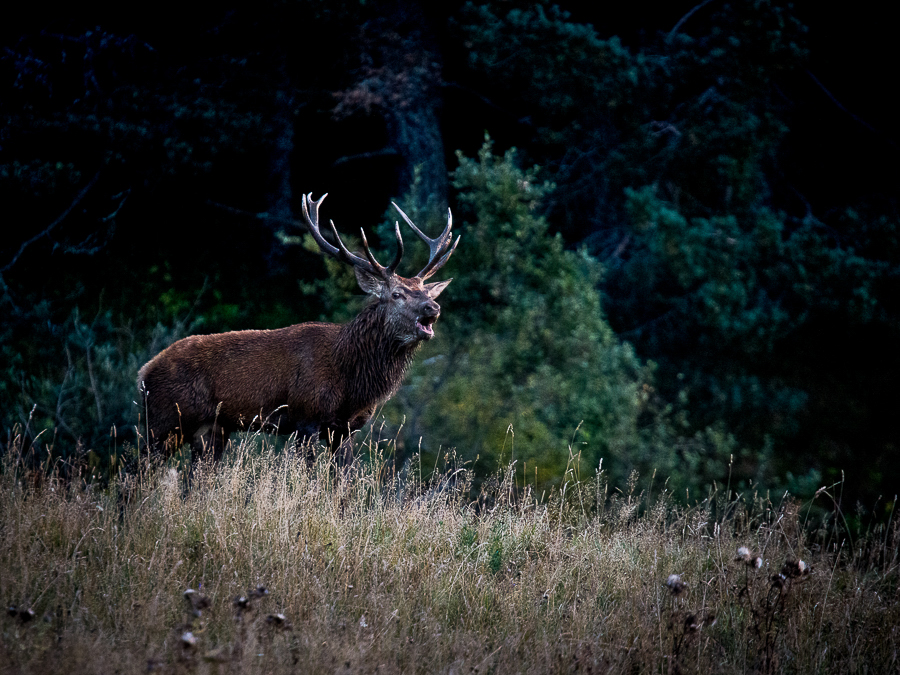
525 367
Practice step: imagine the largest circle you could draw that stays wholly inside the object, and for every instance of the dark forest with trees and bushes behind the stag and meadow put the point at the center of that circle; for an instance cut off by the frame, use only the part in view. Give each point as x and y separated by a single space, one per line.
679 226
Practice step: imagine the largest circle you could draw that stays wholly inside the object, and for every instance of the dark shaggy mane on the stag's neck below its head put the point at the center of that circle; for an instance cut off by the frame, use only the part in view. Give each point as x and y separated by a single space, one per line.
371 357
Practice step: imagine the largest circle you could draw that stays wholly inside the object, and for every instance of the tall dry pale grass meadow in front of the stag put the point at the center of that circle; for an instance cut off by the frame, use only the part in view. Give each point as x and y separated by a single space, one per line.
293 570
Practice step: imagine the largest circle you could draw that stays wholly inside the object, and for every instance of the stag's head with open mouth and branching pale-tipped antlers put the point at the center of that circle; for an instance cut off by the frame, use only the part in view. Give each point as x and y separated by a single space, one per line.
408 304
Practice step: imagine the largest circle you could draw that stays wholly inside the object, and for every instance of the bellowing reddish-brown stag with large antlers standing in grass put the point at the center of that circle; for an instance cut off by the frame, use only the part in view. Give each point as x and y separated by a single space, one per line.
310 379
